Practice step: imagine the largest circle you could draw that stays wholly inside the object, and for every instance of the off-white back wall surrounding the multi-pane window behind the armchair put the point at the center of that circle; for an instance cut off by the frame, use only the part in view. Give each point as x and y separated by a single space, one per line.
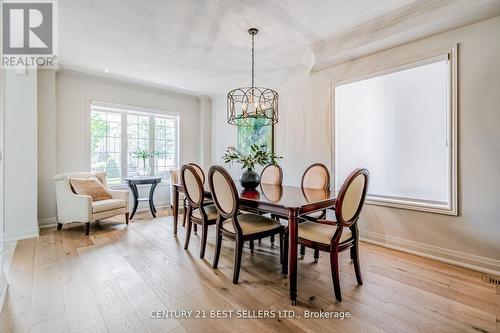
64 146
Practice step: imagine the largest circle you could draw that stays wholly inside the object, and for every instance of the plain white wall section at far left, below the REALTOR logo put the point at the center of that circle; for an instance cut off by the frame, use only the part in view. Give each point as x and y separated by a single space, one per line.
20 168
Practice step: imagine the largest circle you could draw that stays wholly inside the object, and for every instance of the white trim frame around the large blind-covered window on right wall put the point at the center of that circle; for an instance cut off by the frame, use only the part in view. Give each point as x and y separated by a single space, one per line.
451 208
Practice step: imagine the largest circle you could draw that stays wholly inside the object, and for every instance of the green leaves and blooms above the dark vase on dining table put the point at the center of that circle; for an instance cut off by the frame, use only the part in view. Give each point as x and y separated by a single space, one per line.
258 154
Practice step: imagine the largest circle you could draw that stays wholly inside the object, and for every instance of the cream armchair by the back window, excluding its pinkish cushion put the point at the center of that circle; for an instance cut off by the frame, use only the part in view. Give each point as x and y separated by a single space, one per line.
72 207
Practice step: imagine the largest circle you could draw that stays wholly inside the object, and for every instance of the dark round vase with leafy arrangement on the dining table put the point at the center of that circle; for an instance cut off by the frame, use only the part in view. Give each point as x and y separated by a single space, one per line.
258 154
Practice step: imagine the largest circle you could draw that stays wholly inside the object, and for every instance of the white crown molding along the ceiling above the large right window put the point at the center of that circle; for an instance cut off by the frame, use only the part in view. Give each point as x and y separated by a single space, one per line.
415 21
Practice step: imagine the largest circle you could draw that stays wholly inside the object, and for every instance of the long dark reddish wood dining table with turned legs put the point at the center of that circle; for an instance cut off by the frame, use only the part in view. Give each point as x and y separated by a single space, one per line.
282 200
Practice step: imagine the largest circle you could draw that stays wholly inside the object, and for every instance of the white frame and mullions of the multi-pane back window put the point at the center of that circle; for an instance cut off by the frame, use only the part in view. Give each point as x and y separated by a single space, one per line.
125 110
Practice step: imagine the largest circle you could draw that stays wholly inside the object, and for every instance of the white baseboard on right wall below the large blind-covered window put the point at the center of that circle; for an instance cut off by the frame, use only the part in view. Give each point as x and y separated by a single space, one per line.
457 258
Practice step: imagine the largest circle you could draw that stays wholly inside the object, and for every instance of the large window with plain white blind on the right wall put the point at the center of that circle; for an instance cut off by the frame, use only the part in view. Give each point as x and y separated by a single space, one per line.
401 126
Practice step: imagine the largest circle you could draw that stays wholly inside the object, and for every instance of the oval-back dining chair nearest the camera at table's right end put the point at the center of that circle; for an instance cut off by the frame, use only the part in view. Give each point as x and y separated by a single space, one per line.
343 234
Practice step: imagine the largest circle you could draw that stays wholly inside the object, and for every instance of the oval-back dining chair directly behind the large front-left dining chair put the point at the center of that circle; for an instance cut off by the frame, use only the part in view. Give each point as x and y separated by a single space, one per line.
197 212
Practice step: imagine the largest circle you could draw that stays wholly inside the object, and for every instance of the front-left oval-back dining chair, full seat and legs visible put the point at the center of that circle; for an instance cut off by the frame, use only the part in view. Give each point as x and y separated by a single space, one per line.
239 227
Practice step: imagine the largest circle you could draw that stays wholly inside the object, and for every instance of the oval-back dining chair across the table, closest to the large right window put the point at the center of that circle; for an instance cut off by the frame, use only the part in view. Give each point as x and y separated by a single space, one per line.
316 176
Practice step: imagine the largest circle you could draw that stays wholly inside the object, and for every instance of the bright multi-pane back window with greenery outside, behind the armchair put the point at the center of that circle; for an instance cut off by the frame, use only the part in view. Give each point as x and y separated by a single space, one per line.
119 133
